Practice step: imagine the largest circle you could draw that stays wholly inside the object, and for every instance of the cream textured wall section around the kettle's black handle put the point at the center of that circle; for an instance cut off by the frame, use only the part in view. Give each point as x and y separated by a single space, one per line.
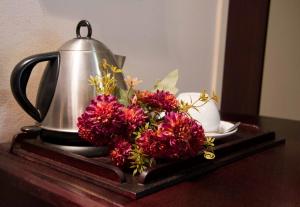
25 32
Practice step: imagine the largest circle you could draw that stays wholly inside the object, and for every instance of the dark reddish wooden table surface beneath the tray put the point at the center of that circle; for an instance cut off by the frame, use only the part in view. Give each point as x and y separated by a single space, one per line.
268 178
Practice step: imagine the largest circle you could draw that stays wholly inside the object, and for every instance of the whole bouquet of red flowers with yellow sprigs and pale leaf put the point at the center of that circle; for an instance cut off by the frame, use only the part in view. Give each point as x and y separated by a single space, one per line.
142 127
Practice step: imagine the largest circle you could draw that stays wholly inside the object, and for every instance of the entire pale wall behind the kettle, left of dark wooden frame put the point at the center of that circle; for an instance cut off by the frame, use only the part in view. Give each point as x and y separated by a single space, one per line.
156 36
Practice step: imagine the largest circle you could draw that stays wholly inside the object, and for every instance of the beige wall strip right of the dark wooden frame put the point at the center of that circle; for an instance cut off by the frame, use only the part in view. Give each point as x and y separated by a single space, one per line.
281 80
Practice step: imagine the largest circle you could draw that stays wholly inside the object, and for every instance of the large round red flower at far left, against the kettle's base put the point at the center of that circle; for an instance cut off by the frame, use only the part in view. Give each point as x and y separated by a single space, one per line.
102 119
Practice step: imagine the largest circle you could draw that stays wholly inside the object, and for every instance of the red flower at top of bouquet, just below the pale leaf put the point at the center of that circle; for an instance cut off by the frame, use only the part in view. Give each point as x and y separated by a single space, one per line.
159 100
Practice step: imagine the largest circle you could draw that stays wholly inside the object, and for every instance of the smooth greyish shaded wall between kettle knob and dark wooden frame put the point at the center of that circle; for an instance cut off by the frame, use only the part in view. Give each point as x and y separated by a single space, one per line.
156 36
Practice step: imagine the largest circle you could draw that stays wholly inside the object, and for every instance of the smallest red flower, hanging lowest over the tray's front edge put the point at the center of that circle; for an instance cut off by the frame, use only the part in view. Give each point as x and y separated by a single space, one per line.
120 154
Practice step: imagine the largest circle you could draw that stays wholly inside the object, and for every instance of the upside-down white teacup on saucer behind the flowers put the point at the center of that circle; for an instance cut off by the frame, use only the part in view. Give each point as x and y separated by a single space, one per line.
207 113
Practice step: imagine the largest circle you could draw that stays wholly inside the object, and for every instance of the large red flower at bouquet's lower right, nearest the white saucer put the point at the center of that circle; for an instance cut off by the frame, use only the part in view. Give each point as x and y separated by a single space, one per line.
178 136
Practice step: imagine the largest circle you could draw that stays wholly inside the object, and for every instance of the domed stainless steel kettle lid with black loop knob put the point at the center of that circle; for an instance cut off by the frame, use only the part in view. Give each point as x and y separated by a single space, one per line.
81 43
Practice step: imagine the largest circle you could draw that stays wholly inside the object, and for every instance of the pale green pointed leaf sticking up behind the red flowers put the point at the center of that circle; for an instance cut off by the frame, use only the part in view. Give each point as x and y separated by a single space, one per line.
168 83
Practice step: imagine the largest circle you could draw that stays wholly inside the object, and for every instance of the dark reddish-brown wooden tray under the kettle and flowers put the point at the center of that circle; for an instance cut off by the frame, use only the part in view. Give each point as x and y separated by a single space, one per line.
100 171
